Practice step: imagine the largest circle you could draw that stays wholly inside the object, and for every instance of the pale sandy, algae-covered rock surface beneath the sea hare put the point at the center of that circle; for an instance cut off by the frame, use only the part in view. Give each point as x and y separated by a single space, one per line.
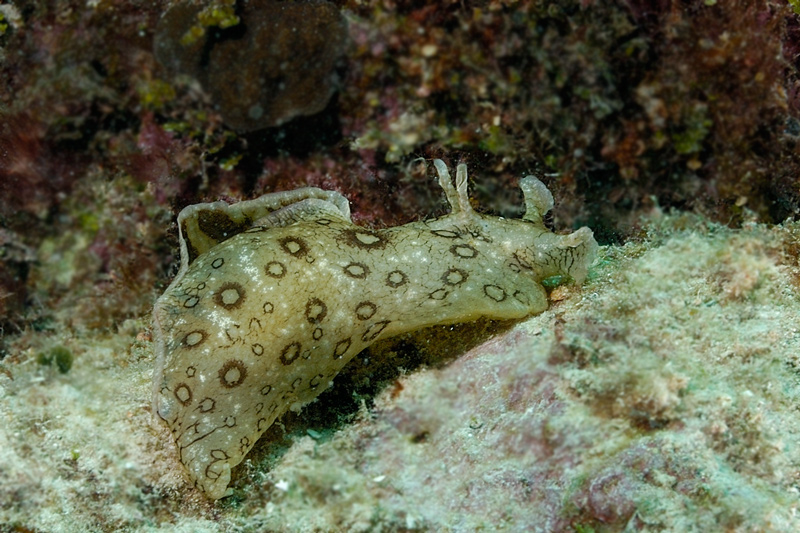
662 395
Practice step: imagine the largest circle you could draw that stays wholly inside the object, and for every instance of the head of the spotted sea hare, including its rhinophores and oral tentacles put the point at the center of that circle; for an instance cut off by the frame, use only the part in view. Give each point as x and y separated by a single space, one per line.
527 243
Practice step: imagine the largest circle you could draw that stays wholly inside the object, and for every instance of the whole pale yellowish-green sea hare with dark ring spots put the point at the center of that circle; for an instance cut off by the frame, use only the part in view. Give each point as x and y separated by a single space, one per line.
275 295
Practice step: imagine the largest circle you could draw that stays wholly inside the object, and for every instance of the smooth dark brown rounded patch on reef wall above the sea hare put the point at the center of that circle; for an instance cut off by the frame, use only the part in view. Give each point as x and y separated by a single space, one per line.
277 63
